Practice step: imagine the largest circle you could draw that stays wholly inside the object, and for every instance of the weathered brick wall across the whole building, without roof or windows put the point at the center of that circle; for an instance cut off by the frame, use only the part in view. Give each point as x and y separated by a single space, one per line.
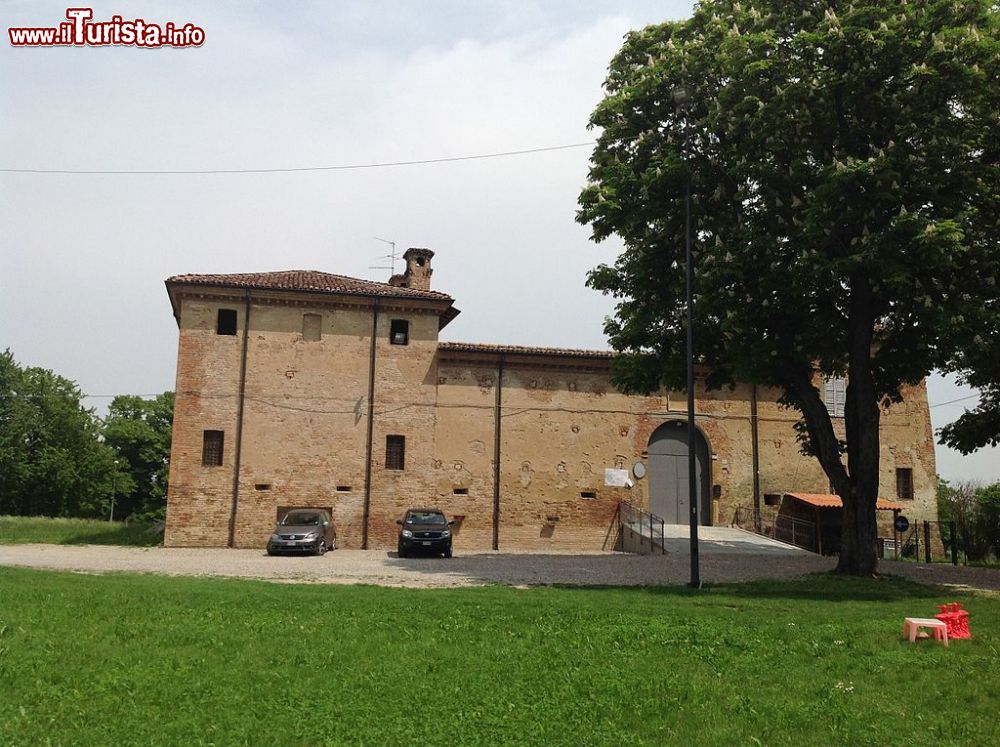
562 424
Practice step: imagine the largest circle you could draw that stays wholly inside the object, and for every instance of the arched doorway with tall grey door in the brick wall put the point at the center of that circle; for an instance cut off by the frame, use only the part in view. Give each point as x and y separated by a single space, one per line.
669 495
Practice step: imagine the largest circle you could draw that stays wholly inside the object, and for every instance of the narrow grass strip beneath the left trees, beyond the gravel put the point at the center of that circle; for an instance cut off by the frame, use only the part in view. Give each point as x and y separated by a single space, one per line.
24 529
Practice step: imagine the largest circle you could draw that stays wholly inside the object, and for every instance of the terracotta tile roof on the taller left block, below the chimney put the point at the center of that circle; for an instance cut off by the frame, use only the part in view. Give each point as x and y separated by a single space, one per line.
310 281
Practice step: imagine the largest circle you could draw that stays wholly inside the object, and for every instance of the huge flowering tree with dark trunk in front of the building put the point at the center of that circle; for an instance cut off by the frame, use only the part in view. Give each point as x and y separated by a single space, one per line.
842 158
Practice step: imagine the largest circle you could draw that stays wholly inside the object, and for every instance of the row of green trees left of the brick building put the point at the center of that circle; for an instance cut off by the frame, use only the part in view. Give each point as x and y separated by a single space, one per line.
58 458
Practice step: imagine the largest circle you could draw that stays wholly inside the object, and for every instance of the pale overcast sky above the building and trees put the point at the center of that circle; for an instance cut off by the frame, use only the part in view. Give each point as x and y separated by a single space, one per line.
296 84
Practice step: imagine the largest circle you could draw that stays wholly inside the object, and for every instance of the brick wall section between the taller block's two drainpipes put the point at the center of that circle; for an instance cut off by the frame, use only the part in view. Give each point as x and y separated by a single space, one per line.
304 422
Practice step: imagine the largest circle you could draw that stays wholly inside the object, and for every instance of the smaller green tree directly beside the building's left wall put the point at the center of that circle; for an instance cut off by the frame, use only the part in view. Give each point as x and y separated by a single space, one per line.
139 430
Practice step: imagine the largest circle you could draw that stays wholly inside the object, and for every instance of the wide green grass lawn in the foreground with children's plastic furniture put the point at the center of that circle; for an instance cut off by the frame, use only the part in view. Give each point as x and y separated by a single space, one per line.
90 659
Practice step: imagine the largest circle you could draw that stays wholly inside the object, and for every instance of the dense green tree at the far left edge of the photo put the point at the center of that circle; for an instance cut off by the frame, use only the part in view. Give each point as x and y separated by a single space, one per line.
52 461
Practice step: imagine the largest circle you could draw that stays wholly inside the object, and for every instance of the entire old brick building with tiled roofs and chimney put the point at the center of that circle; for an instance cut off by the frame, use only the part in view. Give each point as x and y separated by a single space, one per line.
305 388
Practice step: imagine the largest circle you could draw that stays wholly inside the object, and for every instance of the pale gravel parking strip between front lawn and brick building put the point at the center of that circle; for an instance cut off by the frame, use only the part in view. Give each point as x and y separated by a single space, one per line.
519 569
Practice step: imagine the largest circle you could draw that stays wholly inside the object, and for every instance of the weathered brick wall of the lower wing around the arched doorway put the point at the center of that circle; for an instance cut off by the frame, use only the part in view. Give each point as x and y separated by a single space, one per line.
561 430
